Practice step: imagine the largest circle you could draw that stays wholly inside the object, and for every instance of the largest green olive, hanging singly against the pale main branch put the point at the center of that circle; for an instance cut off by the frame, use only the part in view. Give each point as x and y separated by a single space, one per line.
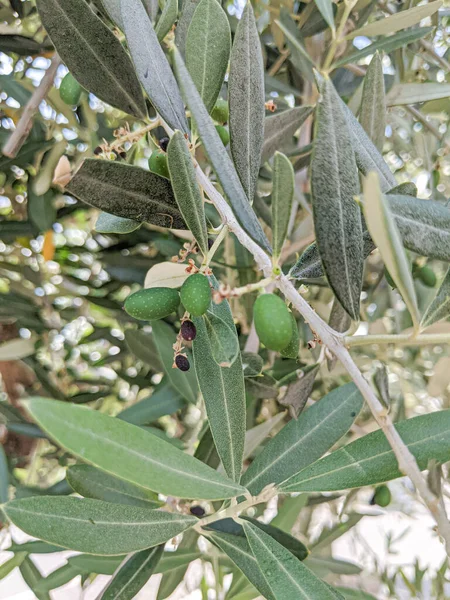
273 322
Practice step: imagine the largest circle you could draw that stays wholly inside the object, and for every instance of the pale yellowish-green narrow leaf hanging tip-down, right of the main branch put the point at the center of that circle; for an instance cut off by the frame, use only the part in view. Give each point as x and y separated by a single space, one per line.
386 236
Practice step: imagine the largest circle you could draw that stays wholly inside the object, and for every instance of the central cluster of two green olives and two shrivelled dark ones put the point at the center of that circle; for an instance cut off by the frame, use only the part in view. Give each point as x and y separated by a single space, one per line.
159 302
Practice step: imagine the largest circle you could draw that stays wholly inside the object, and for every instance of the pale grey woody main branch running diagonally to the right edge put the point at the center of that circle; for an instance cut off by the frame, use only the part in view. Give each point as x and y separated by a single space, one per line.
335 343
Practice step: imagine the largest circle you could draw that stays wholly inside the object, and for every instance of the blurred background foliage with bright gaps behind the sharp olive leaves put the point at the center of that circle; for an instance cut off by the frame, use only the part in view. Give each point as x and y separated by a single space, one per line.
63 331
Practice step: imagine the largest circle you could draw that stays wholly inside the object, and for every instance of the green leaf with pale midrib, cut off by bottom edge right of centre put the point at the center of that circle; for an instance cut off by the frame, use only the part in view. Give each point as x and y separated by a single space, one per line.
286 576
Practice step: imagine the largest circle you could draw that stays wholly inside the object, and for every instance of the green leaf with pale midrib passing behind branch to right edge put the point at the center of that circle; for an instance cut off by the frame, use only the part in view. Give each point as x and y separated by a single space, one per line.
370 459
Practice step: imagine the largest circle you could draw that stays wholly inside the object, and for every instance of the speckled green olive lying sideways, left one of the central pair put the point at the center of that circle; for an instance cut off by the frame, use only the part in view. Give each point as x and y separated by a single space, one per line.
152 303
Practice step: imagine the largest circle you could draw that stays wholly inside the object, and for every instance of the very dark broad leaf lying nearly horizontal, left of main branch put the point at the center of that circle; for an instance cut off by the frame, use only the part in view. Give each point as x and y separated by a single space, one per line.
128 192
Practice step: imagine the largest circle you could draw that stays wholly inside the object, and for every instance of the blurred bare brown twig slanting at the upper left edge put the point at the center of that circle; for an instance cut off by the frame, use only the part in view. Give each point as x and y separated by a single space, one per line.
20 134
